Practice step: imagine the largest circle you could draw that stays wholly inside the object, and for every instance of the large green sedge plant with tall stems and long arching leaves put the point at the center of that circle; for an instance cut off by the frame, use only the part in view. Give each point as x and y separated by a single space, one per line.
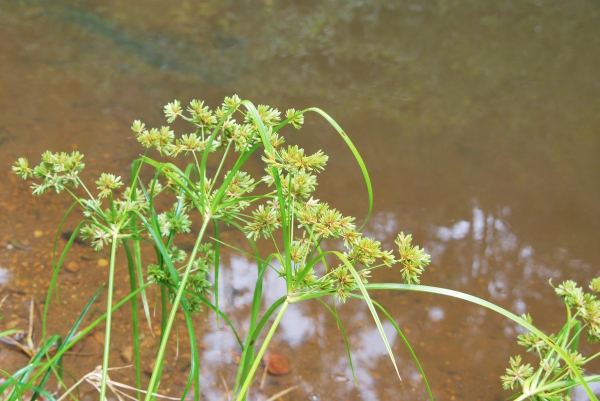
316 250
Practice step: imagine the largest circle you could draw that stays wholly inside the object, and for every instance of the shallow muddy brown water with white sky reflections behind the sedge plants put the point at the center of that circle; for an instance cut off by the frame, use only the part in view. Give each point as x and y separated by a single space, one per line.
479 123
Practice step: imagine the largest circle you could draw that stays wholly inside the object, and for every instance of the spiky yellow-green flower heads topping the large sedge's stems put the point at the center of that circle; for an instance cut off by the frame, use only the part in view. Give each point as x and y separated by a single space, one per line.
119 212
